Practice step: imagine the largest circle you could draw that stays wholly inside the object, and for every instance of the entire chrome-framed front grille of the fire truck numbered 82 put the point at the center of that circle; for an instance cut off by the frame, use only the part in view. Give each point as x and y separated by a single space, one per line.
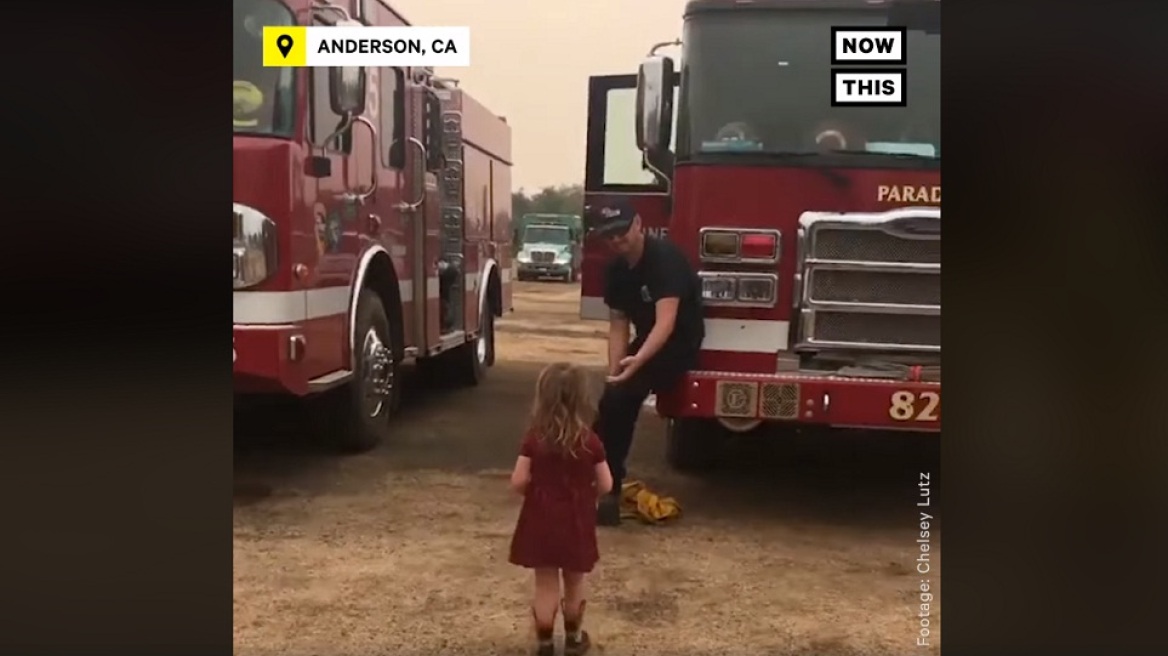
871 282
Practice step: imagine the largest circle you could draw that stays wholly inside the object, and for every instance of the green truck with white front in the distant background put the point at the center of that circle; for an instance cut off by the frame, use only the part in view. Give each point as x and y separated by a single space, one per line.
548 246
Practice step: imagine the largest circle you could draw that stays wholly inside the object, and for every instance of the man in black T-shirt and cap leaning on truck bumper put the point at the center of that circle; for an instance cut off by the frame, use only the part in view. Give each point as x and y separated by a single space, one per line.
650 287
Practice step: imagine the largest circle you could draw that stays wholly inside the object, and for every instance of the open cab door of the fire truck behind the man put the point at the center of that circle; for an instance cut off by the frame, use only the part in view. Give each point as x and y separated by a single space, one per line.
614 169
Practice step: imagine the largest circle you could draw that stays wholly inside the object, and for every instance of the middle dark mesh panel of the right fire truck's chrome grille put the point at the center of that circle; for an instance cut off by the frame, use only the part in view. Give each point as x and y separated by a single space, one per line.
875 288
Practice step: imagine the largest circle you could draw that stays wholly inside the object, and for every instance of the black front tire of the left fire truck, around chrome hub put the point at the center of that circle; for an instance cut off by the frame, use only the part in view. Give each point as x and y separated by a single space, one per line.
345 417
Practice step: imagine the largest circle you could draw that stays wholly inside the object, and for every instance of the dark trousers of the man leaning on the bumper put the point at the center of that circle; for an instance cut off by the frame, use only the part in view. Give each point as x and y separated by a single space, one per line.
622 403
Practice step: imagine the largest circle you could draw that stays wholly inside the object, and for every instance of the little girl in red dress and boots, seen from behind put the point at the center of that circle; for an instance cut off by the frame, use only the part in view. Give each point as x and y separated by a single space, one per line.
561 473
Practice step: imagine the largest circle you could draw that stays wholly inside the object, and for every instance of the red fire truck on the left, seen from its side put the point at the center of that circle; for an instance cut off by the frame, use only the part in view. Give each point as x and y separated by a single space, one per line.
372 213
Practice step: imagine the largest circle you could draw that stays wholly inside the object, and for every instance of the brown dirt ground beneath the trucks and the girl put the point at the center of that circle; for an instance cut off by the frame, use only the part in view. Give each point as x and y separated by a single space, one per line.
805 546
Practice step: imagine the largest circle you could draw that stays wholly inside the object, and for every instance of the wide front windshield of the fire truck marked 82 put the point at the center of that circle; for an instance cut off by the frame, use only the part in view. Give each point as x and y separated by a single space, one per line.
759 82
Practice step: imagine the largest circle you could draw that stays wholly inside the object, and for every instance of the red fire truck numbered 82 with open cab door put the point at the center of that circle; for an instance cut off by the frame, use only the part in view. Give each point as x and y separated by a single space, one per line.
816 228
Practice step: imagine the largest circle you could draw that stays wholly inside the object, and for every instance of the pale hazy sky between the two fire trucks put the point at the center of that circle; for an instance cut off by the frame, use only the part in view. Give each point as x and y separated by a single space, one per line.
531 61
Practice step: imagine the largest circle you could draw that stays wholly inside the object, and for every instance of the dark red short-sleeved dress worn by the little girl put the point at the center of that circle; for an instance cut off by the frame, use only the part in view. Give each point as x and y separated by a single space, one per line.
557 527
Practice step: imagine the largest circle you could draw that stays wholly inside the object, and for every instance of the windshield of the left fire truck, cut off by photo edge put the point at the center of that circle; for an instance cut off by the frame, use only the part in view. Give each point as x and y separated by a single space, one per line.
261 97
